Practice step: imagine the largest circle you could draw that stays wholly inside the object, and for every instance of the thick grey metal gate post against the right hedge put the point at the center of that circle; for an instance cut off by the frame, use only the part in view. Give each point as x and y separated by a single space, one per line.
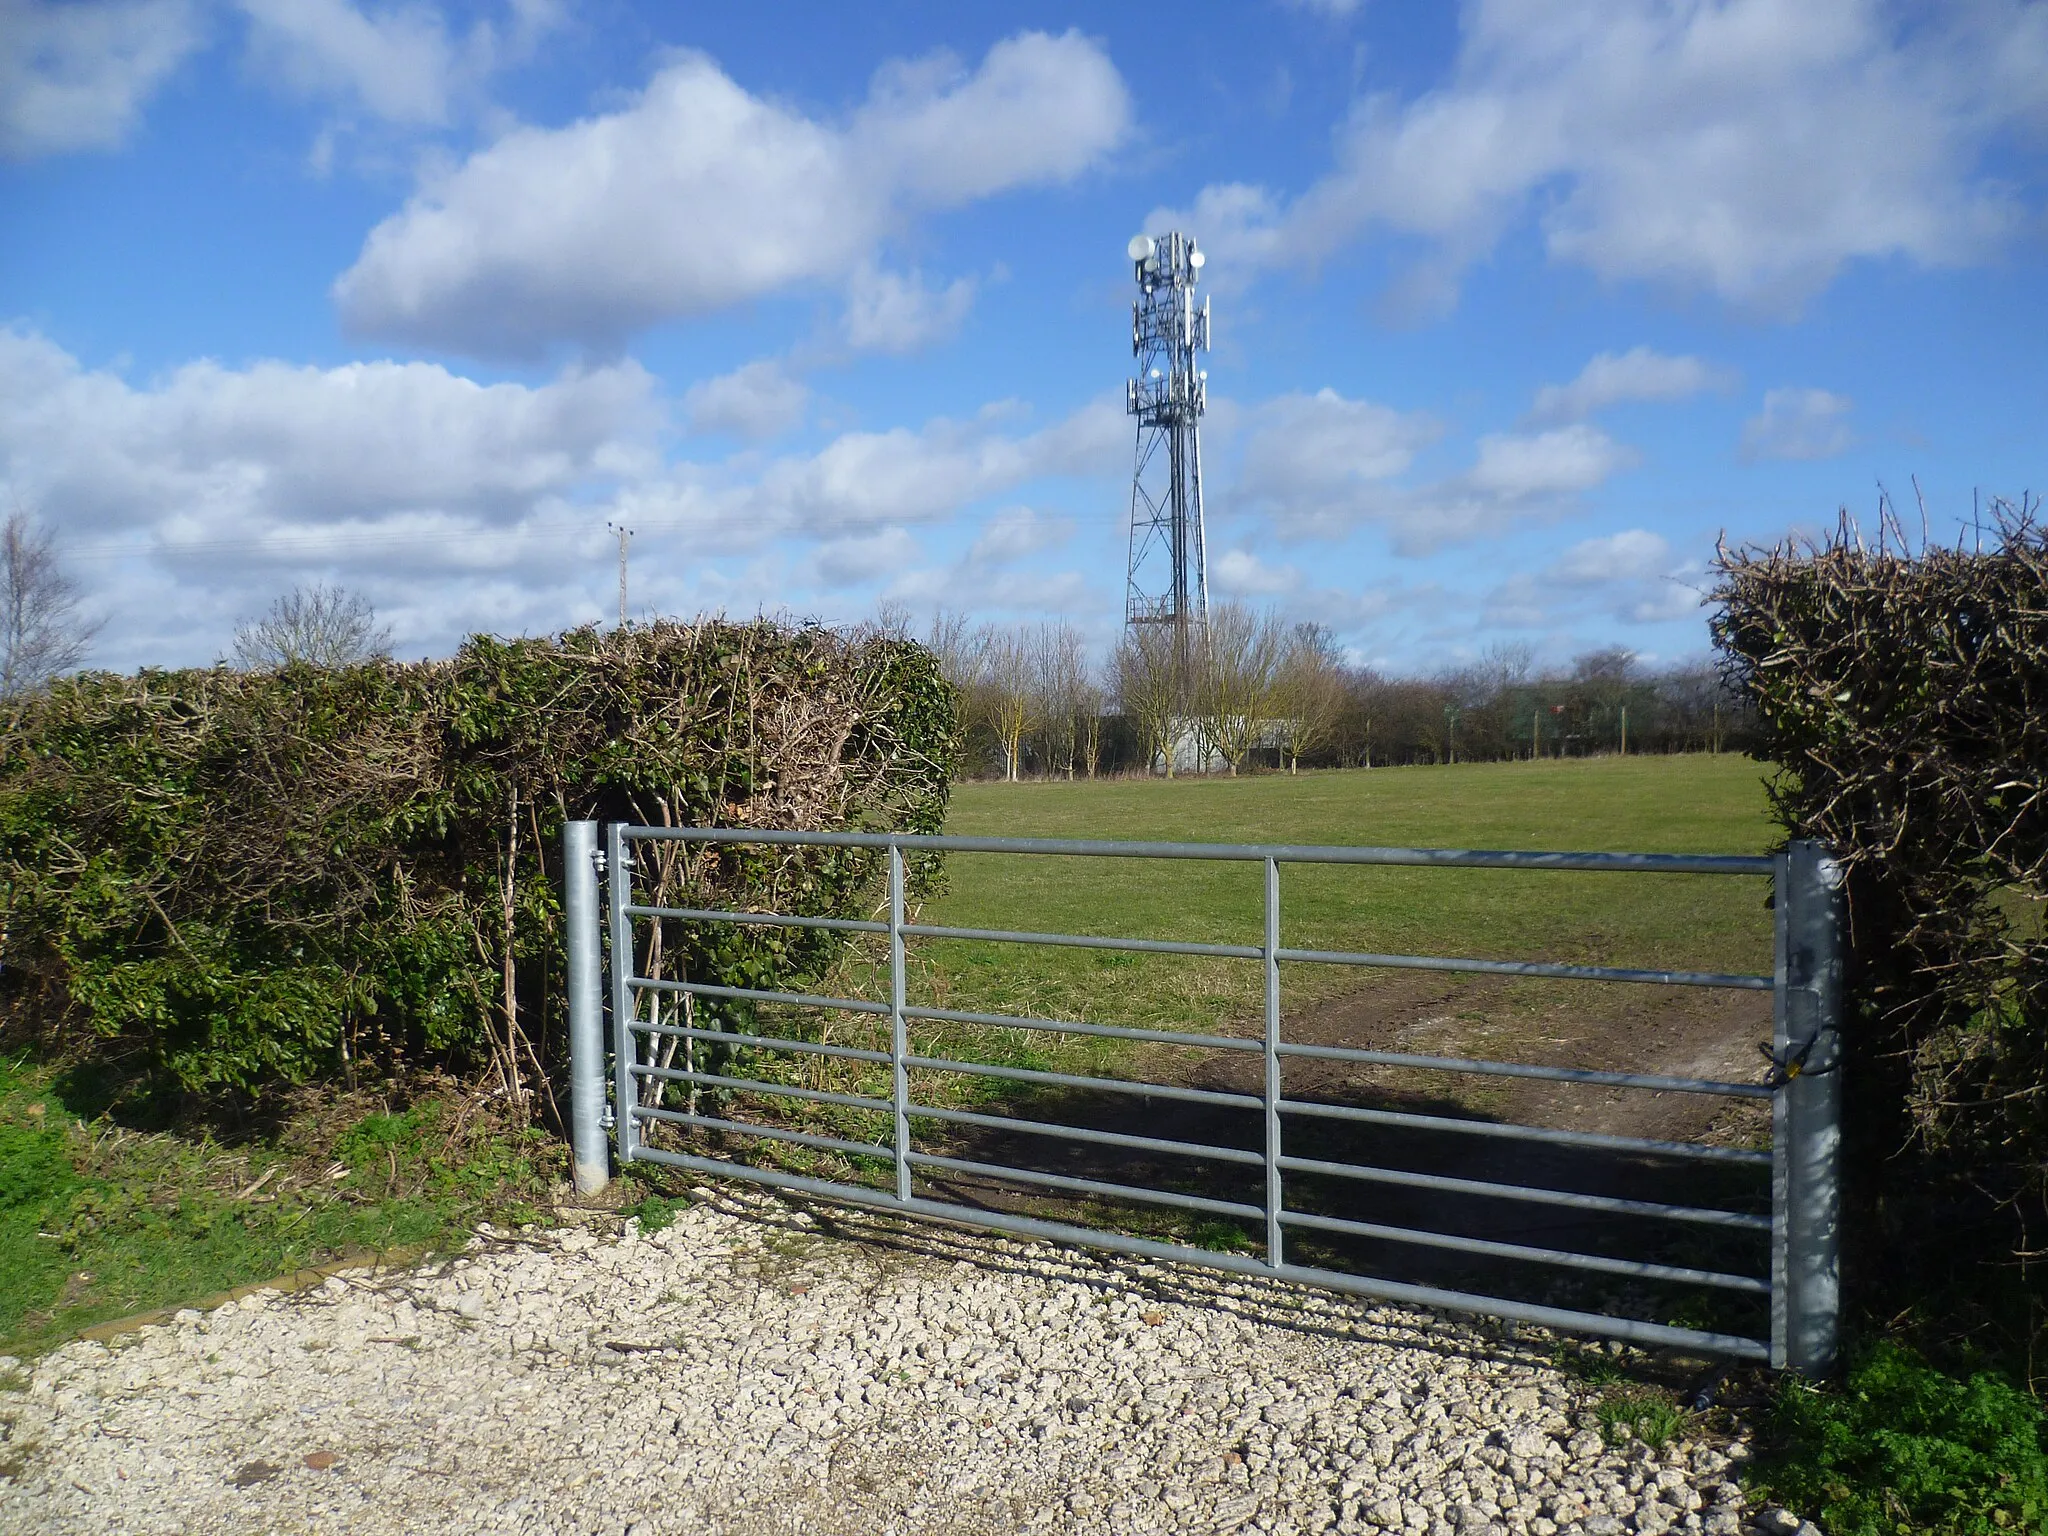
1807 1046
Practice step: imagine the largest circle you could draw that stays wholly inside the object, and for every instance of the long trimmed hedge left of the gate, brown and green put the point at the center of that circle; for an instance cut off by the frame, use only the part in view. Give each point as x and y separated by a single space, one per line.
243 880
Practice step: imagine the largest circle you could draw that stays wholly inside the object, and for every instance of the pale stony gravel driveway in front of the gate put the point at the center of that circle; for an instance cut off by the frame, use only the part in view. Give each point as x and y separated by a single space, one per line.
761 1369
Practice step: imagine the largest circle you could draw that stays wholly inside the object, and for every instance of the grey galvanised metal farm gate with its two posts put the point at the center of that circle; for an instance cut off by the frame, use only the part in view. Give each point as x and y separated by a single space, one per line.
1803 1089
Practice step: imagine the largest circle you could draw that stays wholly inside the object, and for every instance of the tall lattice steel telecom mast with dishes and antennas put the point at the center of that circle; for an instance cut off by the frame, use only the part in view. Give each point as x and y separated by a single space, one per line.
1168 577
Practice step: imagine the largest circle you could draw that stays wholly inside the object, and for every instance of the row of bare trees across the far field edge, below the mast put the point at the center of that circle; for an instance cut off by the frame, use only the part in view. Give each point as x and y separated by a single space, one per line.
1267 693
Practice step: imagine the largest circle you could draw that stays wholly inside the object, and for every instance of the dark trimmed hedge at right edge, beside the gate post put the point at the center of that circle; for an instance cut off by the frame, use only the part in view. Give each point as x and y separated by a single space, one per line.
1904 695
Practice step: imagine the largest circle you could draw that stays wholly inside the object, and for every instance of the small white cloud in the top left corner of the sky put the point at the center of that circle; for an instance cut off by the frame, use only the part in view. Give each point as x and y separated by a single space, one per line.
77 75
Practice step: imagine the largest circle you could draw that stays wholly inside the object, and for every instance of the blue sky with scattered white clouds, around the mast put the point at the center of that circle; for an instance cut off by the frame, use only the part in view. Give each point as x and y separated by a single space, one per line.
1521 306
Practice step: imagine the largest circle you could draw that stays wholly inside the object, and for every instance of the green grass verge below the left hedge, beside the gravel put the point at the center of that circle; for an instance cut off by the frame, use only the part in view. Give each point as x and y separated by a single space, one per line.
101 1224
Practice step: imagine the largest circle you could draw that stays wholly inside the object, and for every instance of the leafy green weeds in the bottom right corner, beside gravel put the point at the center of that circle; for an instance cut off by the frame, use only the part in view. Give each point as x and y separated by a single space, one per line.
1904 1447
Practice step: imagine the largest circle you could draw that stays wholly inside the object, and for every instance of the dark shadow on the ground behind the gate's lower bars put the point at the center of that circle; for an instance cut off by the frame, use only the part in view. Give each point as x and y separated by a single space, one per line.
1439 1218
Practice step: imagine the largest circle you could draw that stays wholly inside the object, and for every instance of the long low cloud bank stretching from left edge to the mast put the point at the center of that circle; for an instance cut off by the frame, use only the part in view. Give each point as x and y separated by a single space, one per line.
194 499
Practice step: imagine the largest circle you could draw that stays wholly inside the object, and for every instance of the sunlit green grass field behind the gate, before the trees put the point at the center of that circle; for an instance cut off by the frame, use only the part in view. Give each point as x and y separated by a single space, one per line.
1697 804
